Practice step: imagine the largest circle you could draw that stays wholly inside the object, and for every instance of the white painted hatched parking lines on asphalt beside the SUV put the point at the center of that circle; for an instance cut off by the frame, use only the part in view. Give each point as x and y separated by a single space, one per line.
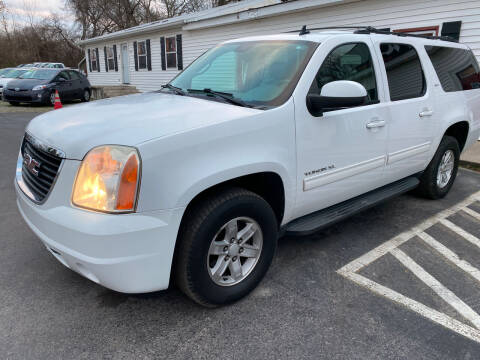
350 271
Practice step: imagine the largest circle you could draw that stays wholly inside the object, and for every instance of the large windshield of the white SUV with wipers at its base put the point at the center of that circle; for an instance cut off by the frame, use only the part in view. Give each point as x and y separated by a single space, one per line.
256 72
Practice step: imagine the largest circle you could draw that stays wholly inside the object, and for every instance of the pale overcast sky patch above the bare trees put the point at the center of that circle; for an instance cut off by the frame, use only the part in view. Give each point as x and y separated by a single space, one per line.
38 8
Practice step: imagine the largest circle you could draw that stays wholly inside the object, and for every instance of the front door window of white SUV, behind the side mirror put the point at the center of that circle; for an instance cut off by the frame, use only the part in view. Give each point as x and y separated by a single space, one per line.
348 62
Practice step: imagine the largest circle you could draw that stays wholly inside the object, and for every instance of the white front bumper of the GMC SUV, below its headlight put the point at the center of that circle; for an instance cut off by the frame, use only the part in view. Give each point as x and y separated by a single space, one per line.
130 253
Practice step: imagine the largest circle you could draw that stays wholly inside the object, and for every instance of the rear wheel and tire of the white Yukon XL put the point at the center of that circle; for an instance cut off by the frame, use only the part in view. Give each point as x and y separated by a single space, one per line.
430 185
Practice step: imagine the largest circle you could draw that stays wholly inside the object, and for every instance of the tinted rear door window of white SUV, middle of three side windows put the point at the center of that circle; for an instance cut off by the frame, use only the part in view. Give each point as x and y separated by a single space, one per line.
404 71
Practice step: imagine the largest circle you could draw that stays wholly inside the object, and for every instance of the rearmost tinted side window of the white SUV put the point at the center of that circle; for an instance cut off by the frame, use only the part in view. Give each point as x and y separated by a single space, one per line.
457 69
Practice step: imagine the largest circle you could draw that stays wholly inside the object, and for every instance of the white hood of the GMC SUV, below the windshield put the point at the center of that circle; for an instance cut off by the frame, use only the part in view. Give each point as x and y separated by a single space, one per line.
128 120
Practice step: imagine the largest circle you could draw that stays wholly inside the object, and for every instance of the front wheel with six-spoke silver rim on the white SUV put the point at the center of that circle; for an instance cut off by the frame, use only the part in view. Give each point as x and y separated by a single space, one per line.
194 263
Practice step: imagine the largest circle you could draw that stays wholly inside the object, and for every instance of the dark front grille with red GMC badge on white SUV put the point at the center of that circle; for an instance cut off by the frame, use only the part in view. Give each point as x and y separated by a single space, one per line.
39 168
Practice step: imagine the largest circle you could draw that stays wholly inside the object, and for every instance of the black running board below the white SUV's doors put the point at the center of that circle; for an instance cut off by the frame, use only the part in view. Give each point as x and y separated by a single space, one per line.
311 223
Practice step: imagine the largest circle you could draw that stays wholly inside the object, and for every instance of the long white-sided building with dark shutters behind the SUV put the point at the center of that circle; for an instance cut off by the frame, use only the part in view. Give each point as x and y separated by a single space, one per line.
150 55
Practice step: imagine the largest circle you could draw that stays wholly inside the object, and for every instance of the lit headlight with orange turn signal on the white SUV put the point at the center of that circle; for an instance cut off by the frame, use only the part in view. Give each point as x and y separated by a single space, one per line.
108 179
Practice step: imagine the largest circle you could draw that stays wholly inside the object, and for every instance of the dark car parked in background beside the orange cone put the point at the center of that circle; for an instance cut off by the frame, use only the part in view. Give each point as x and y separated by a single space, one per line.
38 86
